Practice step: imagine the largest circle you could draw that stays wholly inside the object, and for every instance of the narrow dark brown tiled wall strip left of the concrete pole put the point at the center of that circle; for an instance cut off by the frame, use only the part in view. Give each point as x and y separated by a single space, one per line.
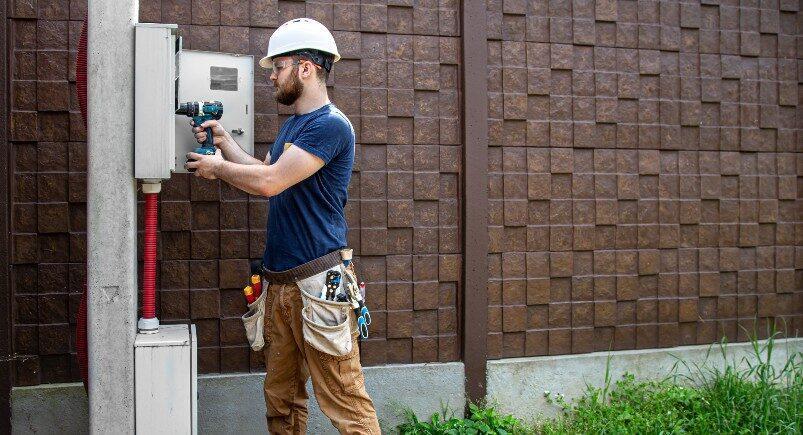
47 172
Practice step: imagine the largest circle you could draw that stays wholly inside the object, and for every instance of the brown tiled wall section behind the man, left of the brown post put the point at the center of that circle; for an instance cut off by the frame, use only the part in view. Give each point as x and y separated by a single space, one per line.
398 84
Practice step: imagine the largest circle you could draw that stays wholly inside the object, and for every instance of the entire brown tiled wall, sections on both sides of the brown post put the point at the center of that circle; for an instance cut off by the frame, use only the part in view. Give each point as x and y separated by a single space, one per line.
645 176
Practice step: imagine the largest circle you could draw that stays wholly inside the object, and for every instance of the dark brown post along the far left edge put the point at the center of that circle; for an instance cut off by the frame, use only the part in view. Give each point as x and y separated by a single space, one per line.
5 247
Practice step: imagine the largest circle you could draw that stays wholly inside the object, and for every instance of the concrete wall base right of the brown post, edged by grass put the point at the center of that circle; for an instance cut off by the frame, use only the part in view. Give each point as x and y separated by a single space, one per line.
517 385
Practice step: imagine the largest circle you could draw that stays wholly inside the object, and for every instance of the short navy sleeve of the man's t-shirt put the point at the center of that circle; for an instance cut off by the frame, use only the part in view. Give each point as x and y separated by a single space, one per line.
325 137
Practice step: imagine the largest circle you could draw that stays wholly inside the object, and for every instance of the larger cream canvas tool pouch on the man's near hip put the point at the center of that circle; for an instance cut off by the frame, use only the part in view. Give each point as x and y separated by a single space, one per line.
326 325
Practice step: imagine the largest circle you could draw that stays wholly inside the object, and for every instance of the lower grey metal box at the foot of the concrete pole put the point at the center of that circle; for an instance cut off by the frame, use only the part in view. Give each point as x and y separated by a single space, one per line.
166 379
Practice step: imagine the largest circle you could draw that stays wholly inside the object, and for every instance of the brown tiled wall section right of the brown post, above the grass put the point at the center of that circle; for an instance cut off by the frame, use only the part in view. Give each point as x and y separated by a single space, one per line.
644 173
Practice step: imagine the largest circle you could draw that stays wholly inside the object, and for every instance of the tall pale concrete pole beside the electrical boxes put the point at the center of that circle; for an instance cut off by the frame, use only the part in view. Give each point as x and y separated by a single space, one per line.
111 215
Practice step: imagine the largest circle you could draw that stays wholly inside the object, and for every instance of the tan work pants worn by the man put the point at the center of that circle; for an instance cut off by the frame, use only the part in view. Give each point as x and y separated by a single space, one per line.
337 381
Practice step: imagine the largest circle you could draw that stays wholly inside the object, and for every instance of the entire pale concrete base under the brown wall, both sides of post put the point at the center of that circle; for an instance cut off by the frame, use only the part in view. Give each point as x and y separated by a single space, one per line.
234 403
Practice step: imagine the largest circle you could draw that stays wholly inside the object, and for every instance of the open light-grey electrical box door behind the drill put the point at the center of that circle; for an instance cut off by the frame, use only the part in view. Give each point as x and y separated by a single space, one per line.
208 76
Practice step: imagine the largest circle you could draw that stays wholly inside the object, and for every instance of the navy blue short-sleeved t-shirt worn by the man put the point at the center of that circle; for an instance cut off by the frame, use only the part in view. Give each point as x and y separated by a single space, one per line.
307 220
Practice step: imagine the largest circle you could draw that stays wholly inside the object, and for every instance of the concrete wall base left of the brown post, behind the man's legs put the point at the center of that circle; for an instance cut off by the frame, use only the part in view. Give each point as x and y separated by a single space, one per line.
234 404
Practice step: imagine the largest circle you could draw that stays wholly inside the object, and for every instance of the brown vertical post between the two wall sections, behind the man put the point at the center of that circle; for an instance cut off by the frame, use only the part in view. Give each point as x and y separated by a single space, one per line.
474 113
